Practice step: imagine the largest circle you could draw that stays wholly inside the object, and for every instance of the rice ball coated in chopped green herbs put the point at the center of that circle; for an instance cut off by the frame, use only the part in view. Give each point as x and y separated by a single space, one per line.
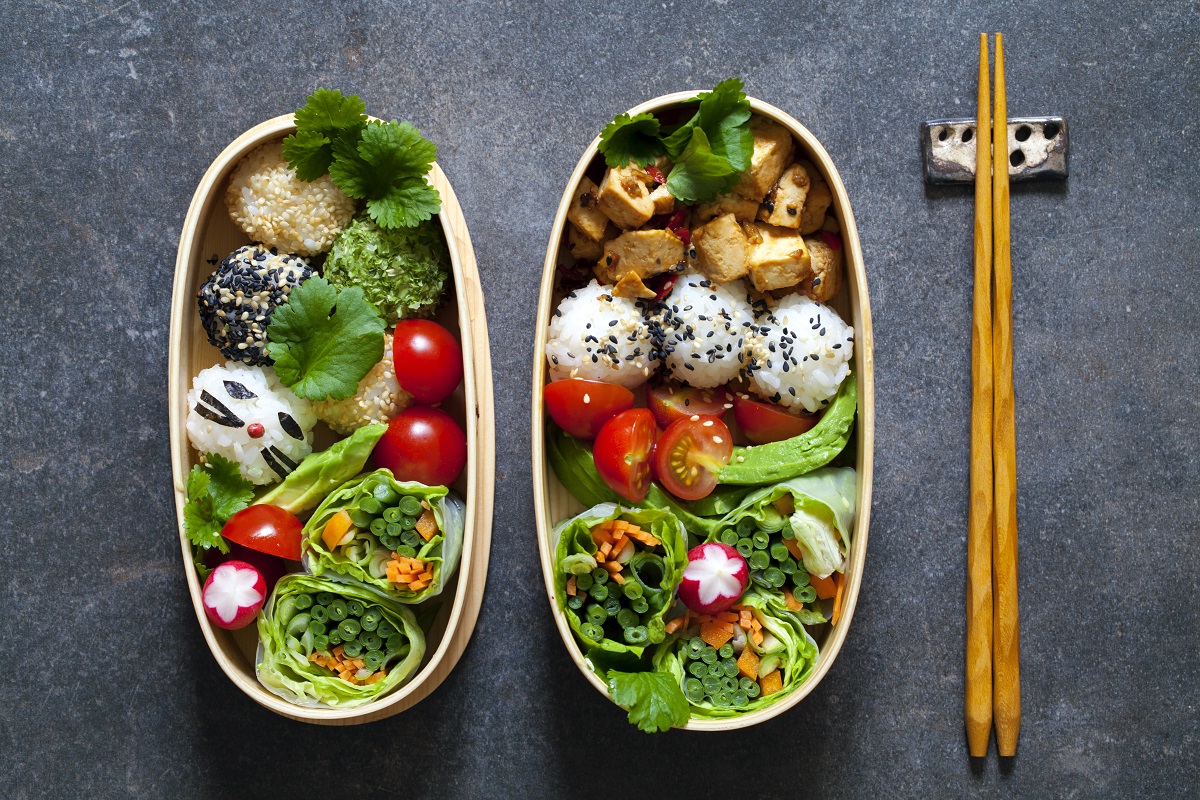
401 272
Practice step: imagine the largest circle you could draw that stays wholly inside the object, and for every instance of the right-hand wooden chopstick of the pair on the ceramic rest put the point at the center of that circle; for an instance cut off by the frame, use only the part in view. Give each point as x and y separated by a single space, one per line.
1006 637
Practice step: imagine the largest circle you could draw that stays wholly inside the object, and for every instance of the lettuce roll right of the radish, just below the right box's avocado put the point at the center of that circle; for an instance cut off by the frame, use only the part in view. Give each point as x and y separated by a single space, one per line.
793 530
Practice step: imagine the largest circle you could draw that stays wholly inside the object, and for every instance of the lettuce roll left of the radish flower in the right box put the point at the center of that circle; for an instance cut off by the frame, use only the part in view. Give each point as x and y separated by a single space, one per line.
616 572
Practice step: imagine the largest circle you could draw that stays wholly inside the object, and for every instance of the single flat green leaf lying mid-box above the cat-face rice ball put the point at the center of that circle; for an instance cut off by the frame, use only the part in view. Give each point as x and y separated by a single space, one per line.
325 341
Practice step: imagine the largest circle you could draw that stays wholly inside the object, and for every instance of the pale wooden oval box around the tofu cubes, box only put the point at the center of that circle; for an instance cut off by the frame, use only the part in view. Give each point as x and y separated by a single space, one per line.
554 503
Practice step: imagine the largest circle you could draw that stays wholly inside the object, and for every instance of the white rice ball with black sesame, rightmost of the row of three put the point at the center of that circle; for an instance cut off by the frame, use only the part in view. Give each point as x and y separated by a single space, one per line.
801 354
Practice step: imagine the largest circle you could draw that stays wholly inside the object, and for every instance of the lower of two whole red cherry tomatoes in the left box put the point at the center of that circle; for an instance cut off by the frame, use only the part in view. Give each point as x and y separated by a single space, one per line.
425 446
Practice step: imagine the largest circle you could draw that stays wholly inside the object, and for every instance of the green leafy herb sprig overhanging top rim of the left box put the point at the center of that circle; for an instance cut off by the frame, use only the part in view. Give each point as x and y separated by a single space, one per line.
383 164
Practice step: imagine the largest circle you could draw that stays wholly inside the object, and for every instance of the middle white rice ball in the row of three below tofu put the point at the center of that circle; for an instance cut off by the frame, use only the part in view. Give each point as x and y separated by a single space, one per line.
704 330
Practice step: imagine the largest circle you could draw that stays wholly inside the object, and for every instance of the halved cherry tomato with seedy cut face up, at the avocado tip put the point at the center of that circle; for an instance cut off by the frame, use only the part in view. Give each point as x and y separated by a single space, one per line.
691 454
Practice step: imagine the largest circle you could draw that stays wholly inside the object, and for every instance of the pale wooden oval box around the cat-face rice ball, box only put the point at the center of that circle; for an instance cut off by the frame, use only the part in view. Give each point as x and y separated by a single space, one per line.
208 236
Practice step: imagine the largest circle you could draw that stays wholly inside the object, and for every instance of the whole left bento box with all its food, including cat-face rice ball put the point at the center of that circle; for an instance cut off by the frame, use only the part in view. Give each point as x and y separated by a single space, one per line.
332 414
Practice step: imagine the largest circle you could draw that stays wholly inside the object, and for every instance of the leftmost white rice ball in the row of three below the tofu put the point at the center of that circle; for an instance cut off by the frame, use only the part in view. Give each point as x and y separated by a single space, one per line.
597 336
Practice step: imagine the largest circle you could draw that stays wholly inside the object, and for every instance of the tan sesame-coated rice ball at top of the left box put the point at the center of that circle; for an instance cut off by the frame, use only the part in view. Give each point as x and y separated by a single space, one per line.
278 209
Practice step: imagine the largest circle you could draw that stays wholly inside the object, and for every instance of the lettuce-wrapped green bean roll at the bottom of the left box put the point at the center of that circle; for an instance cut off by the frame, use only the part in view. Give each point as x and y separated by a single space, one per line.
325 643
